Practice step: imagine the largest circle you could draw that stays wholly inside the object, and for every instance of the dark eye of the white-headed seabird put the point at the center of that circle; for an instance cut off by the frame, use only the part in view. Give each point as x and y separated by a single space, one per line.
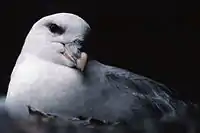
54 28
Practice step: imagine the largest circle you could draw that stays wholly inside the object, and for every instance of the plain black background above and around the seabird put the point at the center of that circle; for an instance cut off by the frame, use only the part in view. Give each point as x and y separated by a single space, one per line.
155 38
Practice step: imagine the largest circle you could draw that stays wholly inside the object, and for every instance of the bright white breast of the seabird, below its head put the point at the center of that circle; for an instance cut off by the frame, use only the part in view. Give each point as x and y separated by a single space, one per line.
42 84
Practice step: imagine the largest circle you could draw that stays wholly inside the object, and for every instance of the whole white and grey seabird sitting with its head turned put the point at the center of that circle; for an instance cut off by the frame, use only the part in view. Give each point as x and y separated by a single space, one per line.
52 75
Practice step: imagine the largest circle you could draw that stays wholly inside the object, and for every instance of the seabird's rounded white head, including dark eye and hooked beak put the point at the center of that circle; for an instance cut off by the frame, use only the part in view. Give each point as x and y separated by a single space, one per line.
58 38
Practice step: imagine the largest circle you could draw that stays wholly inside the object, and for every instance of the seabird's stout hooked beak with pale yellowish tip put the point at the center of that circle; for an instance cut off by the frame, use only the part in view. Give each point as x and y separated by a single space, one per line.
78 58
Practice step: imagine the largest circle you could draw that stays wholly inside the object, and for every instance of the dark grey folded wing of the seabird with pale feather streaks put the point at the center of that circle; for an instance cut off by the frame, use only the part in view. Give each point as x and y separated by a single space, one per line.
156 97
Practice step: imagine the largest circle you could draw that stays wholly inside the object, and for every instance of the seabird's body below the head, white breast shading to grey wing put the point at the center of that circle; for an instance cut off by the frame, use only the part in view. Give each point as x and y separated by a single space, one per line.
103 92
